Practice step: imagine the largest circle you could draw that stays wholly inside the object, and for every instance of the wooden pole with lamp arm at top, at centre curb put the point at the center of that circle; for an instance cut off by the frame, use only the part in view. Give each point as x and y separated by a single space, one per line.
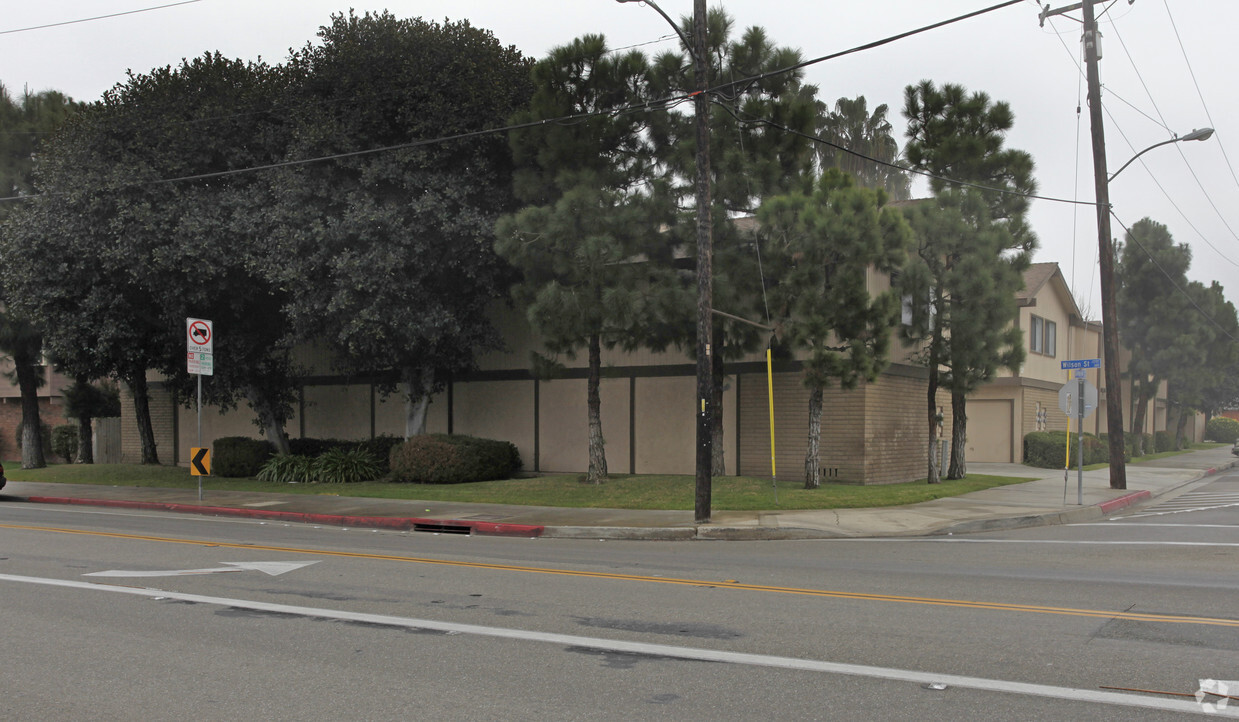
706 256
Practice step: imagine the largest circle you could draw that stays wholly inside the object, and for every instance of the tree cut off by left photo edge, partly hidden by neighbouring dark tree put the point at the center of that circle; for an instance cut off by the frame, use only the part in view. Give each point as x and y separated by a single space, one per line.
25 127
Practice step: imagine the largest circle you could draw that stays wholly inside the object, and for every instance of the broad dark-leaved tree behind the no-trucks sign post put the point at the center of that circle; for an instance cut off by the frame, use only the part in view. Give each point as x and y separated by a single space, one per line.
148 225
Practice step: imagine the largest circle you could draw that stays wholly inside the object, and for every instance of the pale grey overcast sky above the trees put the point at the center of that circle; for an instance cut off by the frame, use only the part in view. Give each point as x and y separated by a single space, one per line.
1168 69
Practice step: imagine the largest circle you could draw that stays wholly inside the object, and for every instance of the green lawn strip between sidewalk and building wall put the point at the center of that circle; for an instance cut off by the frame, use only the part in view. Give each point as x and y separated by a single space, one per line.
623 492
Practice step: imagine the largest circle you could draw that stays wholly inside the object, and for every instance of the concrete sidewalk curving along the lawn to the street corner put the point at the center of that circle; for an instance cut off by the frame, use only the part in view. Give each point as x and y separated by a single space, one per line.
1046 501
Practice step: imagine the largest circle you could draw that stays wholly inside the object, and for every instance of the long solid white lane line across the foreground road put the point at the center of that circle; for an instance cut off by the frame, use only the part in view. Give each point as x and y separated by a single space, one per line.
1072 694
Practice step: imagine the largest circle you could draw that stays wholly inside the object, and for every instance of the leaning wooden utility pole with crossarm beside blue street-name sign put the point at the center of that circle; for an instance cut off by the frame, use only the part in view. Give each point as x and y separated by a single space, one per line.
1106 247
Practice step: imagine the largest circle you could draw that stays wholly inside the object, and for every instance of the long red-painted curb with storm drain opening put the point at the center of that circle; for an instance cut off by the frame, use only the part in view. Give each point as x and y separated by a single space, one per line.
395 523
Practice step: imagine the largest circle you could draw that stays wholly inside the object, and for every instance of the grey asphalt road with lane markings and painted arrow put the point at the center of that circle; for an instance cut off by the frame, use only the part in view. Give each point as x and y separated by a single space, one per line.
121 616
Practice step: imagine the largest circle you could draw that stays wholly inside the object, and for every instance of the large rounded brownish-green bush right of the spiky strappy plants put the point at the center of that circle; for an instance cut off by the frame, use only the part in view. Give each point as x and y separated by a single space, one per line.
442 459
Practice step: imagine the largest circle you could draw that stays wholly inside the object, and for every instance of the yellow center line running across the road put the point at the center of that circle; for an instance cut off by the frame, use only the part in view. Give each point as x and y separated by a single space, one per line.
724 585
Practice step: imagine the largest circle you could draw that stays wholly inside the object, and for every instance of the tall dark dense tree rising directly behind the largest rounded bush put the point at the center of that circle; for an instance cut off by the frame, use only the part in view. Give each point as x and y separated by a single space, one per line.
390 256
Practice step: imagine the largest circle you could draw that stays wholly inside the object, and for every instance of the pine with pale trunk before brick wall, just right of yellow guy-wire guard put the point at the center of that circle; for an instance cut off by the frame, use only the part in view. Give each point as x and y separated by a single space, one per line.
825 246
